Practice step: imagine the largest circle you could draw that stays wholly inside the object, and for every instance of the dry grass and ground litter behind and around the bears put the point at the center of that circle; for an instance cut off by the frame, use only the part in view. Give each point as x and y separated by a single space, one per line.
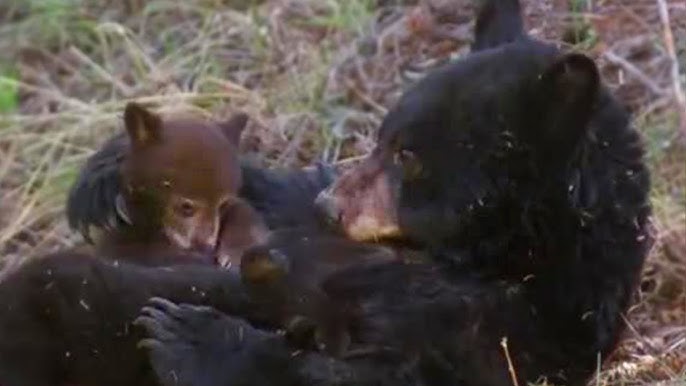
316 76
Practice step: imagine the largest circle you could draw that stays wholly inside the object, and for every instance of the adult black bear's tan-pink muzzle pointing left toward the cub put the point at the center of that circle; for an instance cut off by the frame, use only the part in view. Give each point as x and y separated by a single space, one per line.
363 202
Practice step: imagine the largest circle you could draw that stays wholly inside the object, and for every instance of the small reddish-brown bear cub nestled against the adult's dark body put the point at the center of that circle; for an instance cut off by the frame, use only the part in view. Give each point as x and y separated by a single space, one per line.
180 179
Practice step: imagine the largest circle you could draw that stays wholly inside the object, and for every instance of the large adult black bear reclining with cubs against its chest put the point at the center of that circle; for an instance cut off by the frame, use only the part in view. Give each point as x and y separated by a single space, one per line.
521 177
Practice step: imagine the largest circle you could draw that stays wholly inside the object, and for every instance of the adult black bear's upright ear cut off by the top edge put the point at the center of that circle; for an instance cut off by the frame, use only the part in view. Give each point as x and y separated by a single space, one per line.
498 22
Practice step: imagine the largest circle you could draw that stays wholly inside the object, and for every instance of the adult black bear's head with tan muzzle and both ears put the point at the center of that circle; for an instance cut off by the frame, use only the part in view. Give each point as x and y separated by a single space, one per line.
492 150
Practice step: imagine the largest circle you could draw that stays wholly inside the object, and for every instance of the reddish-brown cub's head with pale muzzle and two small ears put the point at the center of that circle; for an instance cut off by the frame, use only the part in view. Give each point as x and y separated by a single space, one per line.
179 176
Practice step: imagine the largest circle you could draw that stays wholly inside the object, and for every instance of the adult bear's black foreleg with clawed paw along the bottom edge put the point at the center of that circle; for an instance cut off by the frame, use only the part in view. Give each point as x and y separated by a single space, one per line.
246 356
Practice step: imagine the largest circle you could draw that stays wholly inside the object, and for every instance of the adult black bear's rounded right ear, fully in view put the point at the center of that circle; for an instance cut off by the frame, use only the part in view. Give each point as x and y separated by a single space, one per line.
568 90
